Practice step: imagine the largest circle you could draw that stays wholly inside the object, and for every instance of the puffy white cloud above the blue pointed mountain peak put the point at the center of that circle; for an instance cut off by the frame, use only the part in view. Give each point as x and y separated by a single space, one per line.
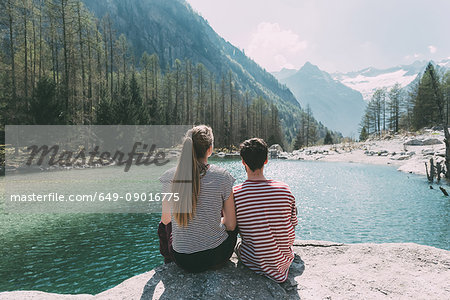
274 47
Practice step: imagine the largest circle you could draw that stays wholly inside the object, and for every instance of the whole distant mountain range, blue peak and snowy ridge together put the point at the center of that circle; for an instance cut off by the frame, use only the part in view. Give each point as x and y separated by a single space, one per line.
338 100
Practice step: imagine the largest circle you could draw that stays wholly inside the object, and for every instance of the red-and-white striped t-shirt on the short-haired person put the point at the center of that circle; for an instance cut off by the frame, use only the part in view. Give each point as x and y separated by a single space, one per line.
266 216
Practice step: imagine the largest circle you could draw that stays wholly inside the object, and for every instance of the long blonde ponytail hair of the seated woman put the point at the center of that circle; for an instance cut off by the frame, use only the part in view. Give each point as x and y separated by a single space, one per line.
186 181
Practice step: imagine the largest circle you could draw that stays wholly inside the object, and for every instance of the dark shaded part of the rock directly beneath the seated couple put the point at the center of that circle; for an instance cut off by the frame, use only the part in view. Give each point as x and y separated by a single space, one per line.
233 281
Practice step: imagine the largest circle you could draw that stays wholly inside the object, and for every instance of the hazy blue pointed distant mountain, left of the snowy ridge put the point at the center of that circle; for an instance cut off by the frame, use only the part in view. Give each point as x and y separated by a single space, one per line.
337 106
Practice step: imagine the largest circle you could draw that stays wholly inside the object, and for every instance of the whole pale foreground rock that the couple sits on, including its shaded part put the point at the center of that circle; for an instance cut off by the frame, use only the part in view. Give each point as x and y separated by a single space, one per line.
327 271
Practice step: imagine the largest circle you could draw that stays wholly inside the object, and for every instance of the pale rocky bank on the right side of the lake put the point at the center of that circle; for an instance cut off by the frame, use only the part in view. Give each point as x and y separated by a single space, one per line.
395 150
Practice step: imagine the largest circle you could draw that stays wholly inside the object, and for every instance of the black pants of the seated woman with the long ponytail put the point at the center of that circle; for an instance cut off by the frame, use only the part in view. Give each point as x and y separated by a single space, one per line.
198 261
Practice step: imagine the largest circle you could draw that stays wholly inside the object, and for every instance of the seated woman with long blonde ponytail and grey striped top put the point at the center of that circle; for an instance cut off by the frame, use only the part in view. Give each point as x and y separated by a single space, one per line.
198 231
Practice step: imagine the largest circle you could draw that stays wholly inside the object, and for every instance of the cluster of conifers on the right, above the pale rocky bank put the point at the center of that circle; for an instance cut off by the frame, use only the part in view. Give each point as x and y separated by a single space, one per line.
421 106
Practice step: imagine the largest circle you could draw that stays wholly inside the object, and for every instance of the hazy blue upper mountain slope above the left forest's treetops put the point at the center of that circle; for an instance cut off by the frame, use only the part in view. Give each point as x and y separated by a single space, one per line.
172 30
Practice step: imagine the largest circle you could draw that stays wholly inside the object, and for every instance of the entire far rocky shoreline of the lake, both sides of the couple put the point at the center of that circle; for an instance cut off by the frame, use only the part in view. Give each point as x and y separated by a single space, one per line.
407 151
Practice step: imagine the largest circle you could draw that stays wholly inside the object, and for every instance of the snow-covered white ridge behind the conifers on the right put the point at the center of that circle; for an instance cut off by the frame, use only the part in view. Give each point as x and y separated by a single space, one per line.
366 81
